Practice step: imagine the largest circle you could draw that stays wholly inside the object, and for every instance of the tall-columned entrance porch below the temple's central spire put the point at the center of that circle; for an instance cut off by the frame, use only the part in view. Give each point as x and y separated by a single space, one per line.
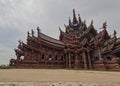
78 60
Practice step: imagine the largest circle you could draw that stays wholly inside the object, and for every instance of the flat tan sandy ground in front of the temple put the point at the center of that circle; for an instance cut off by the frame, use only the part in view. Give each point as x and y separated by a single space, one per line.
55 75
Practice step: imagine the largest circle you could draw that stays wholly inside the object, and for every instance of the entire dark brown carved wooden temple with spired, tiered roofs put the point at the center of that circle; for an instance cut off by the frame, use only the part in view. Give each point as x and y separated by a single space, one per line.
78 47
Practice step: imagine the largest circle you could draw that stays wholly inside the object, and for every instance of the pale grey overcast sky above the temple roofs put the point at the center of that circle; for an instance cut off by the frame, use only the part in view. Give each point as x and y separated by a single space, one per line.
19 16
